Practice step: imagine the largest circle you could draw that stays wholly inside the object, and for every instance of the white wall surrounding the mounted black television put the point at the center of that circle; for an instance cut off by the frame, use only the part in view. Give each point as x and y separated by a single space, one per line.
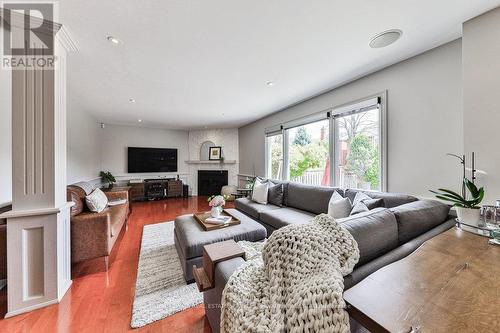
116 139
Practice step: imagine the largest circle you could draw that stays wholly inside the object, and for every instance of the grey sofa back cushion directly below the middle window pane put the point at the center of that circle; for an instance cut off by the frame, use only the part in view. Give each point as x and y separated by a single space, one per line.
310 198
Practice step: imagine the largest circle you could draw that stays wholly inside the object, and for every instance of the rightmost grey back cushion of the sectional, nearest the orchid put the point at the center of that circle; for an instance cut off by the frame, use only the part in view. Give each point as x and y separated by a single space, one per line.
417 217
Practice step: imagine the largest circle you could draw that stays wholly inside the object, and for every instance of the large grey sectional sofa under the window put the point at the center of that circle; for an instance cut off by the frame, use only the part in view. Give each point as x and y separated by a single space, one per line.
384 235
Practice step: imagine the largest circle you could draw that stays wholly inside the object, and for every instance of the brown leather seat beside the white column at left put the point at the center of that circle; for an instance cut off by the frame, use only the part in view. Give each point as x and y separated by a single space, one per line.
93 235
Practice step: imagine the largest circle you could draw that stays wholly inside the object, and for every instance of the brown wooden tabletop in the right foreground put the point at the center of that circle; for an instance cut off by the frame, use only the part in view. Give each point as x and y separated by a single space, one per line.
450 284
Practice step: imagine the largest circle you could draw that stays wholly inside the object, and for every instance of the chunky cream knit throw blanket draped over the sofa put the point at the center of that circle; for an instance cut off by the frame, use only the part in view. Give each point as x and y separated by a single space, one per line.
297 283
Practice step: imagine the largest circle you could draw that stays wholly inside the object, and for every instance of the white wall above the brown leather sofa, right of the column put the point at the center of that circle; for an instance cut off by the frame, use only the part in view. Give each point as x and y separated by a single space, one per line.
83 146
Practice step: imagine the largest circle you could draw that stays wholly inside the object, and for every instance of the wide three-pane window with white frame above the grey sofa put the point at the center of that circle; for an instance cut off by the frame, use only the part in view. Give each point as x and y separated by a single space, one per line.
344 146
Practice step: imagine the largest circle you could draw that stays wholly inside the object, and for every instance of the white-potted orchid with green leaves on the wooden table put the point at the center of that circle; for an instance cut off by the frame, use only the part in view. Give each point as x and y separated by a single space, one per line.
468 209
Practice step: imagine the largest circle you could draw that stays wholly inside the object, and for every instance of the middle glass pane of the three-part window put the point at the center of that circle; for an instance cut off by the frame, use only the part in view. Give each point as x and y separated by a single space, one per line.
309 153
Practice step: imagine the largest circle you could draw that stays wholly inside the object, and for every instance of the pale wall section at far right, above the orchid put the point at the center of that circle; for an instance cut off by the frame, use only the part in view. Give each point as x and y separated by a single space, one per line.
481 73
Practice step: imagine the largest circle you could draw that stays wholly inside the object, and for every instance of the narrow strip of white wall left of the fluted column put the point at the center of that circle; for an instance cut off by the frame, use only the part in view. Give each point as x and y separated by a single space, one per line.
5 137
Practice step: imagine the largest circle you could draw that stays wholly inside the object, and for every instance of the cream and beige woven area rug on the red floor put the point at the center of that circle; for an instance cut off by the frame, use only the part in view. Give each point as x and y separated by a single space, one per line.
160 289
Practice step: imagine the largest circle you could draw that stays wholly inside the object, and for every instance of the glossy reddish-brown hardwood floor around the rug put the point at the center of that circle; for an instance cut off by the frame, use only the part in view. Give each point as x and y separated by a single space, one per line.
100 301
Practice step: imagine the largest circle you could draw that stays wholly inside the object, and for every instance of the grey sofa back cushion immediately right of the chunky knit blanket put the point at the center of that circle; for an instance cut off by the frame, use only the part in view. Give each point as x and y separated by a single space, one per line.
376 233
